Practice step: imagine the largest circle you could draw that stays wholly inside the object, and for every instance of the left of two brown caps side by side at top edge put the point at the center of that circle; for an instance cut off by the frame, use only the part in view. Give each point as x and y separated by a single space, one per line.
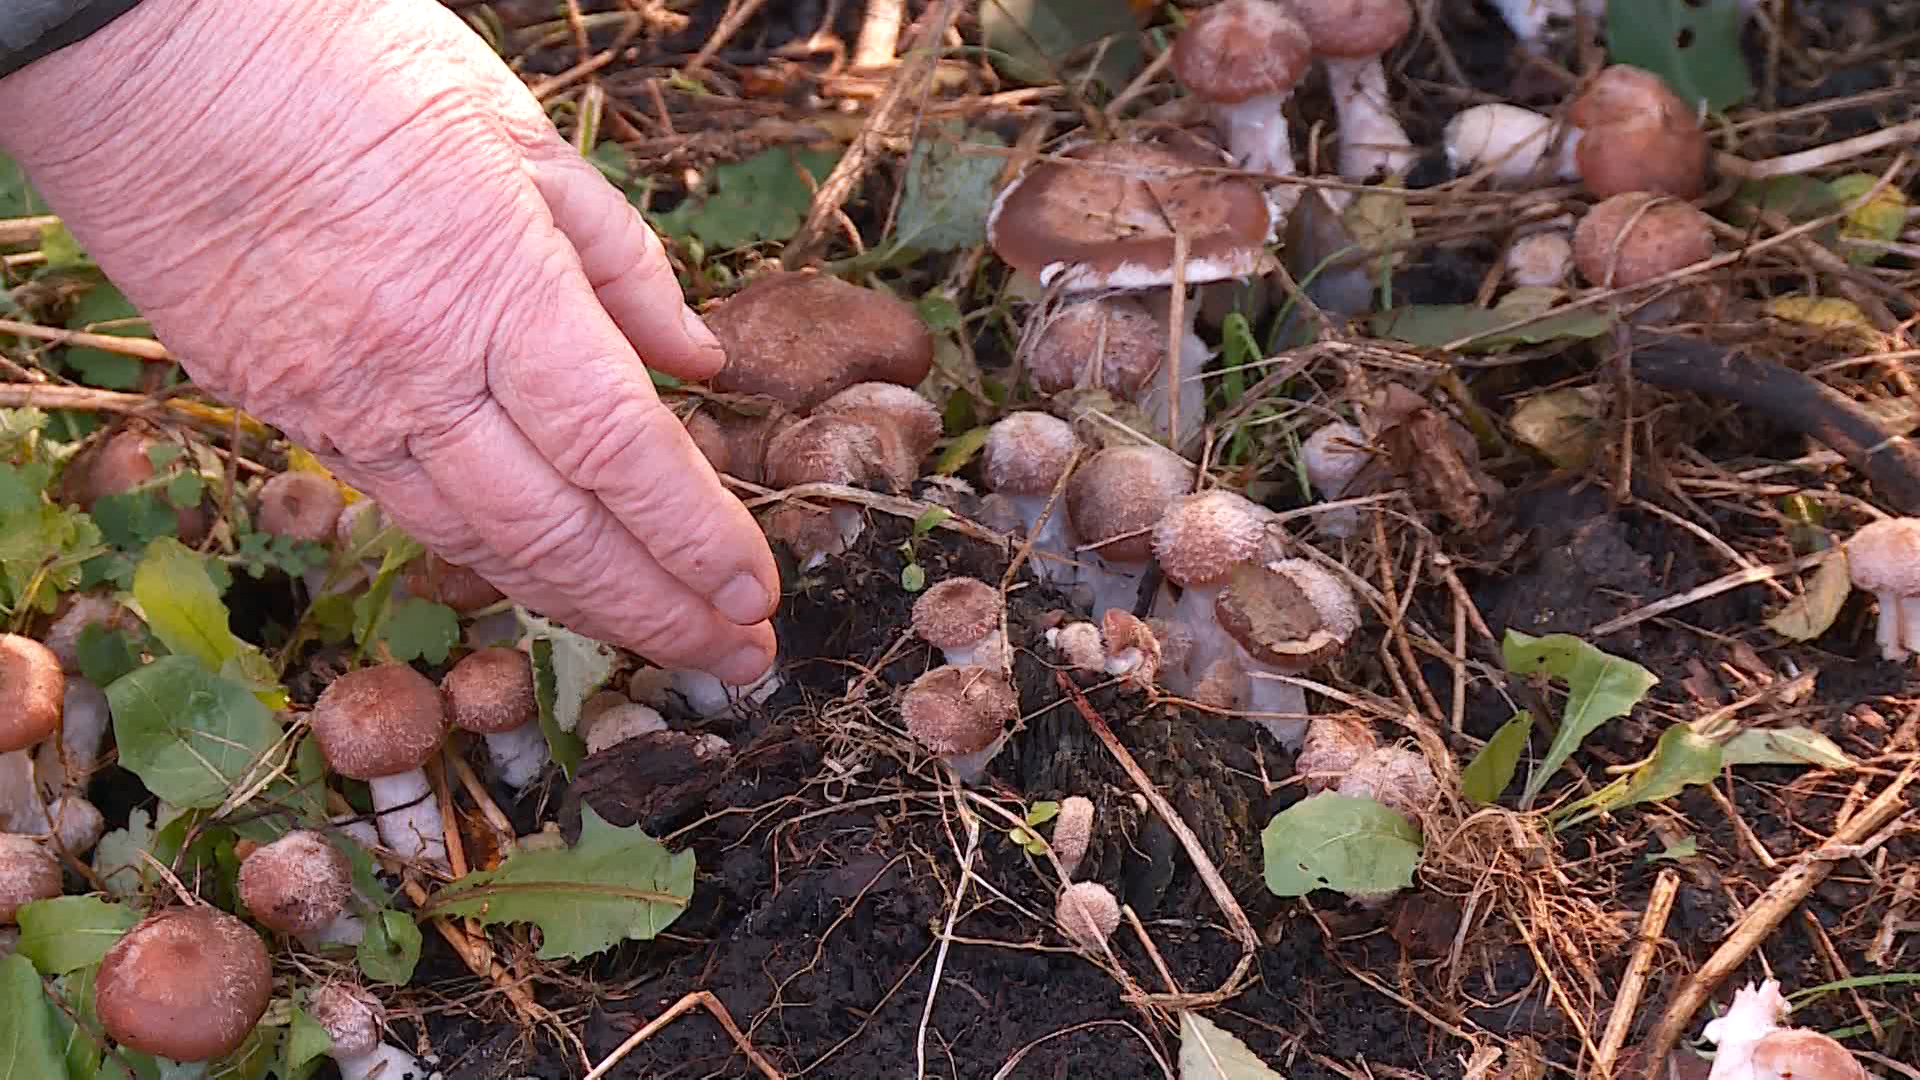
1243 49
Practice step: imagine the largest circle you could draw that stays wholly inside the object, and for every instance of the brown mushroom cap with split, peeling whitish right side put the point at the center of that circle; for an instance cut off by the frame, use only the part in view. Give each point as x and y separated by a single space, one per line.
1287 614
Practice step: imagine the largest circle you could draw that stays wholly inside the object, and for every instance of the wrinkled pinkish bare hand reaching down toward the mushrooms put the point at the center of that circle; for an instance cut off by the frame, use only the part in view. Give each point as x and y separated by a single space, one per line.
352 220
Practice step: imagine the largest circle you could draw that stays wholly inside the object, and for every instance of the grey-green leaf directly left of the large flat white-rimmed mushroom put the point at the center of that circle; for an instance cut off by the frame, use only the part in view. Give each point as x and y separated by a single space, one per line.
949 191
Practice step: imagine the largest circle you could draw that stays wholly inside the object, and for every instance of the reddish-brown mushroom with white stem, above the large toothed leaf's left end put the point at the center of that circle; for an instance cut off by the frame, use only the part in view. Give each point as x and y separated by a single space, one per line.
383 725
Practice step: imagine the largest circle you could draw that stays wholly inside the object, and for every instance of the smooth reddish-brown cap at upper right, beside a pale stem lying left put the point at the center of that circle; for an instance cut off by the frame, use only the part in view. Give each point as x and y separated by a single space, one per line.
1631 134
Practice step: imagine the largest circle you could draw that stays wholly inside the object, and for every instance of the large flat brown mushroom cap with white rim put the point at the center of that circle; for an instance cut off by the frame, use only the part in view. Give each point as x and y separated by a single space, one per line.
1107 218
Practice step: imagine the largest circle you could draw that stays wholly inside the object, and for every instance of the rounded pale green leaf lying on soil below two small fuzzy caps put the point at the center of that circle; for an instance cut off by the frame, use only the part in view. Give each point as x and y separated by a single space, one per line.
1343 843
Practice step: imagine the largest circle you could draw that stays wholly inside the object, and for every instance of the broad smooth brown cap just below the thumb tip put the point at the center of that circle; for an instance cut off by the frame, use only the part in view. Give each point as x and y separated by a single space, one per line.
804 337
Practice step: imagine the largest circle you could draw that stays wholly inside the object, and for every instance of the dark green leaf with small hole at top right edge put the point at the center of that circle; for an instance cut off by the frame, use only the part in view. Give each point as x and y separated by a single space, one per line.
1694 47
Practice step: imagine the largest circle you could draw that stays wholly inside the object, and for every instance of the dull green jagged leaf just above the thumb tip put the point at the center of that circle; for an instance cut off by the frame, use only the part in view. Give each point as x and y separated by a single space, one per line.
756 201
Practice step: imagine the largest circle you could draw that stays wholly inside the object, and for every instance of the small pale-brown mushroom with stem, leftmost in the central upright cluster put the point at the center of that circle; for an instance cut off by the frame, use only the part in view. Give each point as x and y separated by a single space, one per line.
1024 460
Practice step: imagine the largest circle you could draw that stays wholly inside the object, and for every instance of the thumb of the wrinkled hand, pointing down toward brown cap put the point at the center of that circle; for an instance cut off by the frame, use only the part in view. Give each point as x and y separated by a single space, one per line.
627 264
